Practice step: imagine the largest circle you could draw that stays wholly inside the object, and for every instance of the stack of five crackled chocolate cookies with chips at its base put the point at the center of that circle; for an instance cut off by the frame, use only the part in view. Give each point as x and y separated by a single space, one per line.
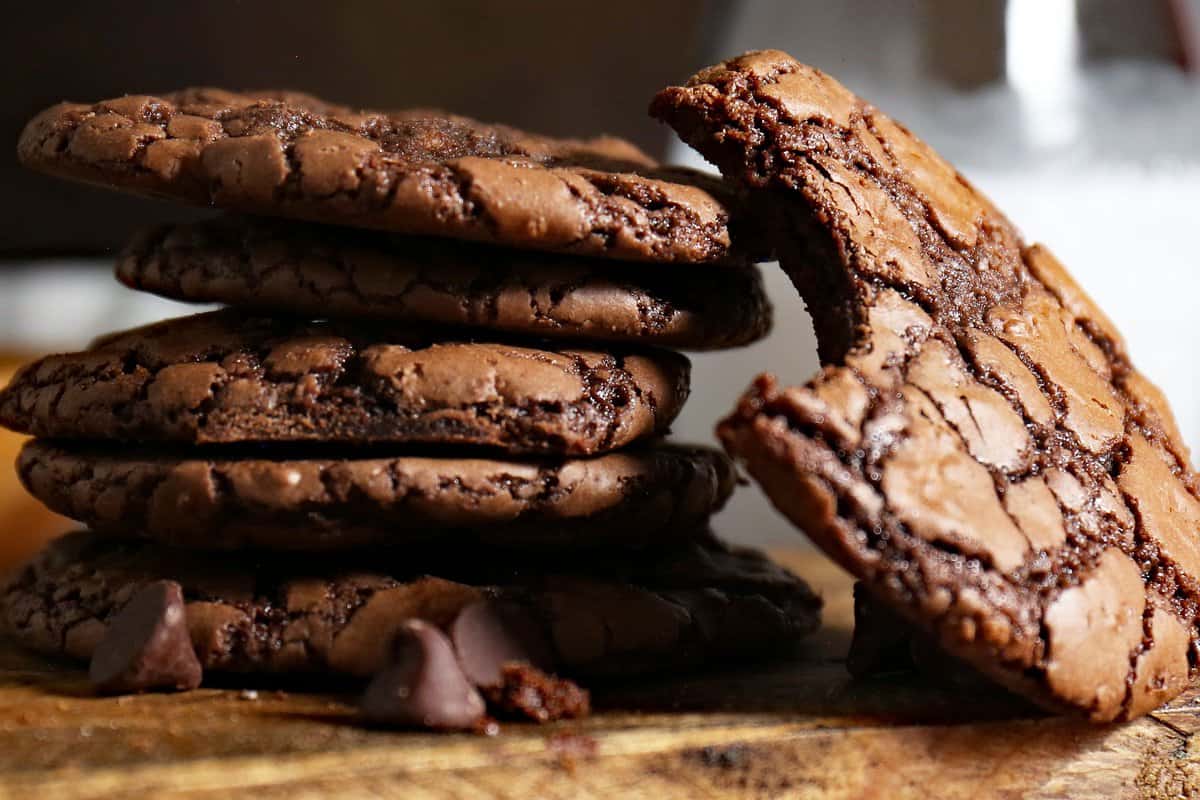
436 461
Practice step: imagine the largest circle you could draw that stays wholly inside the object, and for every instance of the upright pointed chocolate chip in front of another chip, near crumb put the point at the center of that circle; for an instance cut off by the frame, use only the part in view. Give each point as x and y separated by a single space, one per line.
424 687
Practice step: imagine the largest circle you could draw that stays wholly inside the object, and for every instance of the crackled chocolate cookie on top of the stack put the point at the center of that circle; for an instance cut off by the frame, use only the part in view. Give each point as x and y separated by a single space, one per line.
417 172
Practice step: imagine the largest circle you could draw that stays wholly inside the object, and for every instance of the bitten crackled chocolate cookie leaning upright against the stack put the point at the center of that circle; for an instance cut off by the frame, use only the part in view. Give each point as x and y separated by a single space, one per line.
979 449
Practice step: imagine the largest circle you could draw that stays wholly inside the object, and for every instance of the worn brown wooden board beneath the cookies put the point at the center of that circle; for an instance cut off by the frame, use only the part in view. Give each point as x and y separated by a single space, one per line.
796 730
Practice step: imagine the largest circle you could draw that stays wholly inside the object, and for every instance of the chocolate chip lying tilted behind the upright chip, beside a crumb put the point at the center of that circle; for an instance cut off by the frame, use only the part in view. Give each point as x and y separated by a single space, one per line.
489 635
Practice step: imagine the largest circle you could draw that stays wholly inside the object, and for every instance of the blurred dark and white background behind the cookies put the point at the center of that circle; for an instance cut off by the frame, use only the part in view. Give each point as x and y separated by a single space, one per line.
1078 117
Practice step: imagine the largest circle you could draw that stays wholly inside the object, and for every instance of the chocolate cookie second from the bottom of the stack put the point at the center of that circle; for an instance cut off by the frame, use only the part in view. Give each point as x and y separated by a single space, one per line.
638 498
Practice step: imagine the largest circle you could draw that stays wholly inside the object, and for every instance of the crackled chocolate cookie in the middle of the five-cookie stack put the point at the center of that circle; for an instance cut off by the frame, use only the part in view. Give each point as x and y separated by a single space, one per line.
227 377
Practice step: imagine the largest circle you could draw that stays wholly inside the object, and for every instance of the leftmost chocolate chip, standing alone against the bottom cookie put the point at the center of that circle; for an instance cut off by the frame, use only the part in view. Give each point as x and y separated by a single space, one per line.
147 646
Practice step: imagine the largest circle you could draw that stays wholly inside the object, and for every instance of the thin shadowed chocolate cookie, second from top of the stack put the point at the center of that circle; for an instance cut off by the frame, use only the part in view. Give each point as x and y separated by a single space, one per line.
299 269
